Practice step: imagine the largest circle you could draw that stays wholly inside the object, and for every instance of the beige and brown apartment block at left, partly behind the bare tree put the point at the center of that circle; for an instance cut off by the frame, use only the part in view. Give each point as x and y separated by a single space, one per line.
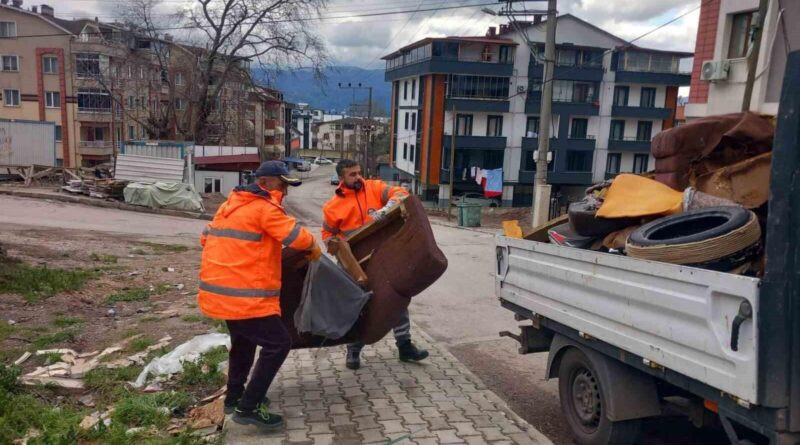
103 84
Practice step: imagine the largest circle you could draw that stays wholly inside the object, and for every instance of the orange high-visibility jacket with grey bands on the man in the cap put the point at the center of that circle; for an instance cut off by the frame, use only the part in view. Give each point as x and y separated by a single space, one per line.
240 271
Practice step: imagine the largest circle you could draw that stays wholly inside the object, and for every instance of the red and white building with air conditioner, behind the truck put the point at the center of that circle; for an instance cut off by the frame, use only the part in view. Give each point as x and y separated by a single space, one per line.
724 39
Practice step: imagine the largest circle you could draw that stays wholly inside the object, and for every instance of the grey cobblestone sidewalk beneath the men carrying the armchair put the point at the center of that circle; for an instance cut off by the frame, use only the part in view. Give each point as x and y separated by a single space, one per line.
437 401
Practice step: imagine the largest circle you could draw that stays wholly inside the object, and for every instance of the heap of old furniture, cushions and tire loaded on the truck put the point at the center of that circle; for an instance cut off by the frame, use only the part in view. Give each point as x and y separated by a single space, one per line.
703 206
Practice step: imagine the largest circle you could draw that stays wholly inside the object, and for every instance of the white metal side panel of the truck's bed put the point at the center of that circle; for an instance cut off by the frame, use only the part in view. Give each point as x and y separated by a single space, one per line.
675 316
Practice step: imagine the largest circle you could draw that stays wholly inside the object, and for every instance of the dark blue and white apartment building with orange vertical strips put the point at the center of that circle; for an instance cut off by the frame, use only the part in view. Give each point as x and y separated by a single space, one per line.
483 94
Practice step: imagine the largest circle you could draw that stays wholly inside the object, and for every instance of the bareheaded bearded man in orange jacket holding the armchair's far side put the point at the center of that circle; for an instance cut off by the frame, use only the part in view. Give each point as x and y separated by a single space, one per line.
355 203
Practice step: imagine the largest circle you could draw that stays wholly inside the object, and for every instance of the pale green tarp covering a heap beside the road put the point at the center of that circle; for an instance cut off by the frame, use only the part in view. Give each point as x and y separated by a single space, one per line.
166 195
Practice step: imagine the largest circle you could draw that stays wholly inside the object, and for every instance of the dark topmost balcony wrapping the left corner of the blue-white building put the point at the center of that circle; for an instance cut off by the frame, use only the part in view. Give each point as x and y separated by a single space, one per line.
449 65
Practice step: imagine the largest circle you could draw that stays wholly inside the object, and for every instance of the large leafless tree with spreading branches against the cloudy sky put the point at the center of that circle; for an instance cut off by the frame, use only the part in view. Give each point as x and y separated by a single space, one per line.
273 34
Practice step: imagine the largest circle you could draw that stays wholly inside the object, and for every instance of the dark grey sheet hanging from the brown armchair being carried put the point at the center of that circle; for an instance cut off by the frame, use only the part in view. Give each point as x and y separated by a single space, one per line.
331 302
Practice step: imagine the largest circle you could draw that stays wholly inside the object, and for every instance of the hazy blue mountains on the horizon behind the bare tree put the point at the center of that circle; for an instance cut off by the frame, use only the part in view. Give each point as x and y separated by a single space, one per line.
299 86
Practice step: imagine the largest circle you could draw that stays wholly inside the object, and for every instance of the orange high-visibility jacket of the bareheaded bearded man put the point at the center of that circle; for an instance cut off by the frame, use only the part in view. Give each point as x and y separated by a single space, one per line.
350 209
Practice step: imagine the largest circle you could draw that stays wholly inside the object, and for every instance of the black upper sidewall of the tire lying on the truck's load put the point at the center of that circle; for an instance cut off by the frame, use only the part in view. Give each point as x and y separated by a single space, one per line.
690 227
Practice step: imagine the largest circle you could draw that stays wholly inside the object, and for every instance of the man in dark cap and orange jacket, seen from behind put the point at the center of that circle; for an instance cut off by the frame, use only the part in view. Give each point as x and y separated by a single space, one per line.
240 282
